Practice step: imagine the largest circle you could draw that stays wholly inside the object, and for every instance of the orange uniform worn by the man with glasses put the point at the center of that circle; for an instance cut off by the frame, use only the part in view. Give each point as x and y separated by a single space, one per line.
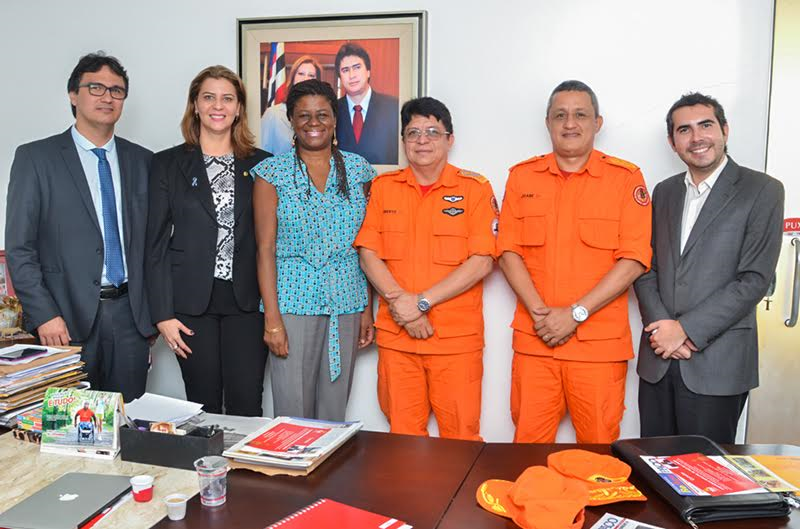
422 239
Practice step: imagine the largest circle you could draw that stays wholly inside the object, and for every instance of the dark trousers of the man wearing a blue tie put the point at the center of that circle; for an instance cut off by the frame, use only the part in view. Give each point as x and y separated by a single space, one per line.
117 357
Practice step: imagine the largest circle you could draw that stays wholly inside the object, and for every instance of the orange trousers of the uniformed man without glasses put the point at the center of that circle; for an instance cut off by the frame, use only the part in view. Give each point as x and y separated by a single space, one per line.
543 388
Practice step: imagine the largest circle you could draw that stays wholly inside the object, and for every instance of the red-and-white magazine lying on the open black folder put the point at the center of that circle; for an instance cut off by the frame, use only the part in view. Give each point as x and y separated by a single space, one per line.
700 475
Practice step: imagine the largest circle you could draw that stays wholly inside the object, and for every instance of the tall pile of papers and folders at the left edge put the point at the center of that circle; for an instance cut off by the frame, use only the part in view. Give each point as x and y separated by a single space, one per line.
27 371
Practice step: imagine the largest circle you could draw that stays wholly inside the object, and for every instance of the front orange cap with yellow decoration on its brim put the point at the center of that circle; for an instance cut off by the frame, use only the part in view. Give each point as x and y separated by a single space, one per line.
539 499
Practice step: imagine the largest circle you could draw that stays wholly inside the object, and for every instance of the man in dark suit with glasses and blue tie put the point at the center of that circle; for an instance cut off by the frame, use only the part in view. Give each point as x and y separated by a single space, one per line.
75 226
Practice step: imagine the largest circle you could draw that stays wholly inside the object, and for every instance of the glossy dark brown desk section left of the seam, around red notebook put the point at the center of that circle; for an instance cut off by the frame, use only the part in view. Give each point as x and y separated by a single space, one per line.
410 478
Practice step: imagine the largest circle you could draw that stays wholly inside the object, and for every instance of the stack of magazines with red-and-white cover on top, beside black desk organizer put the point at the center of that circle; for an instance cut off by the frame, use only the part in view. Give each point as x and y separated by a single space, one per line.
293 444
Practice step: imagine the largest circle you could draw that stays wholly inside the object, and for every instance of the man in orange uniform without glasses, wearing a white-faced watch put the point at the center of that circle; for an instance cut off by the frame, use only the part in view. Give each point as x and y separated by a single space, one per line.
574 234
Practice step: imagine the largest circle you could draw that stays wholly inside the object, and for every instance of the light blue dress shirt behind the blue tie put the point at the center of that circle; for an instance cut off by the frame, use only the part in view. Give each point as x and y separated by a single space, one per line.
89 163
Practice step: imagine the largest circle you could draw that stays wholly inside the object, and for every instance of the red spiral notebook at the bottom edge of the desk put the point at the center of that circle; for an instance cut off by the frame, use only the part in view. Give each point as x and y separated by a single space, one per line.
329 514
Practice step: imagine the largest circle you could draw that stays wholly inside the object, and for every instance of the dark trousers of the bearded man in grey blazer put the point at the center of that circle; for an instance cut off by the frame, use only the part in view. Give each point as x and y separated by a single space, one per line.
668 407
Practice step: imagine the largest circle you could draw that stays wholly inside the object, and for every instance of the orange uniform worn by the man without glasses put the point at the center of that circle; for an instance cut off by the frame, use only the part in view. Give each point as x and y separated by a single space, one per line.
570 231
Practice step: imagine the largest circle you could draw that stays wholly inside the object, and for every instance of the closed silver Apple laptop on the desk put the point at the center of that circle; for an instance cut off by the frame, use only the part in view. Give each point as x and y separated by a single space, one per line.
69 502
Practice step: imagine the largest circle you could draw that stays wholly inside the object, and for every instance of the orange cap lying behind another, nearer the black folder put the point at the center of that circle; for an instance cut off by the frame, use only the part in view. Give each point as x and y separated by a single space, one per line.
606 476
